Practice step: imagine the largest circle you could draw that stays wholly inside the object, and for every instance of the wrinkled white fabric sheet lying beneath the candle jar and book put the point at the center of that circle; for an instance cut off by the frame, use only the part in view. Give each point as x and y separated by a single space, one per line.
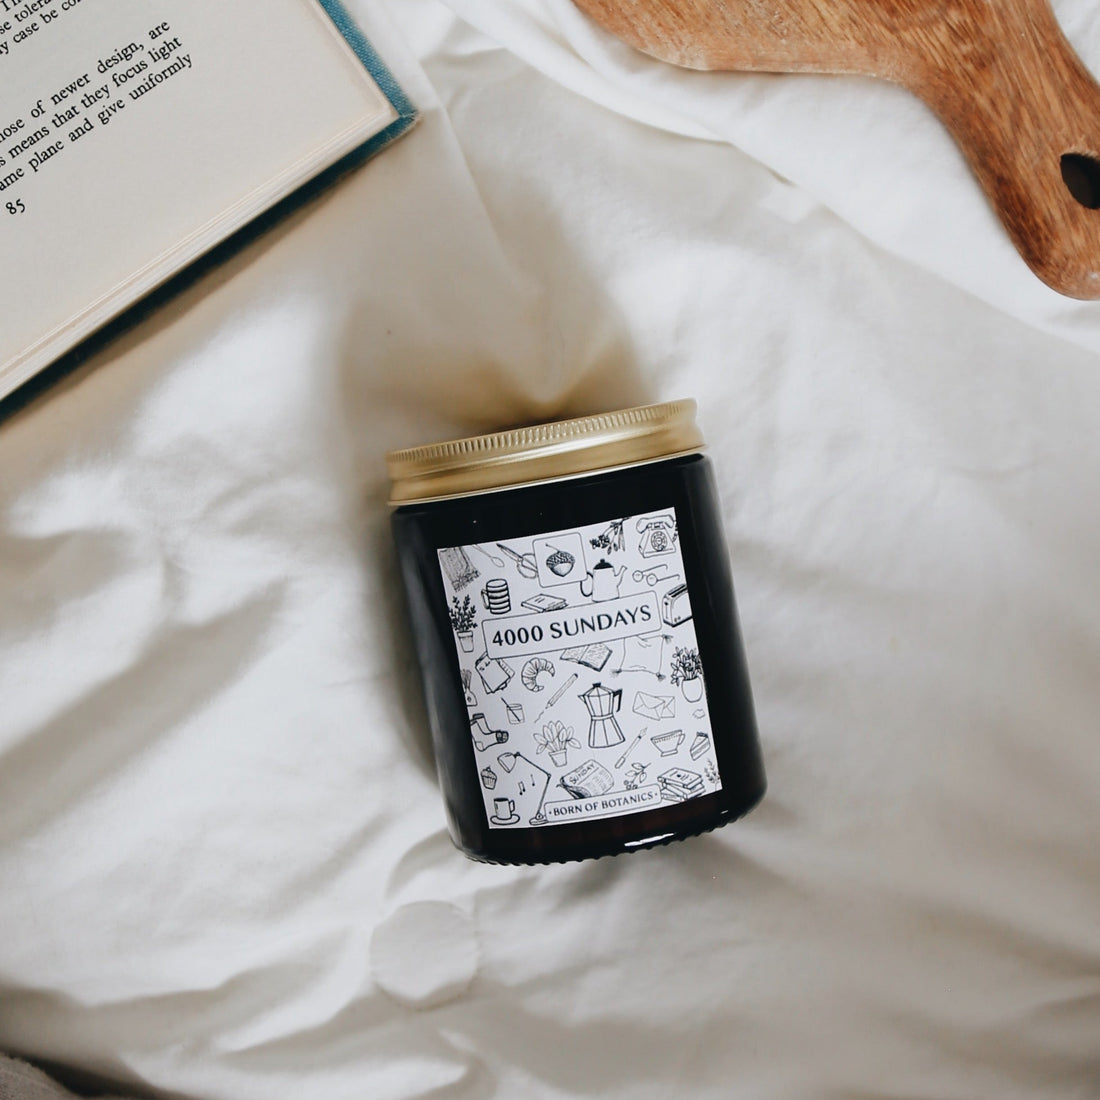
217 804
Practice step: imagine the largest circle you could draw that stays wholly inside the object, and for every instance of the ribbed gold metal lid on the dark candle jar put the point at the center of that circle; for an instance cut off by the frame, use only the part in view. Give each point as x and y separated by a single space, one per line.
544 453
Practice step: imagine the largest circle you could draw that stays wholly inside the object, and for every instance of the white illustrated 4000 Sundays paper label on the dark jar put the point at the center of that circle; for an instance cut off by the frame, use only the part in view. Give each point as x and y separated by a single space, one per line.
581 670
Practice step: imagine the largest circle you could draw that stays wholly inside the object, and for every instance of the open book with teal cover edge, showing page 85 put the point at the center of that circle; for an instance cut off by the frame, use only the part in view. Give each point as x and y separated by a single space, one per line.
137 135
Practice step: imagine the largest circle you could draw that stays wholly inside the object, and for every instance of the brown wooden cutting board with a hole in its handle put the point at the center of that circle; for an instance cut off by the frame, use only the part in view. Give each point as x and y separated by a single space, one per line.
999 74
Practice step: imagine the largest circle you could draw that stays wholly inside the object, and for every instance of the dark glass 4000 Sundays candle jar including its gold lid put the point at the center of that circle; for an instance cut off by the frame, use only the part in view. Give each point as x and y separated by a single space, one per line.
575 622
